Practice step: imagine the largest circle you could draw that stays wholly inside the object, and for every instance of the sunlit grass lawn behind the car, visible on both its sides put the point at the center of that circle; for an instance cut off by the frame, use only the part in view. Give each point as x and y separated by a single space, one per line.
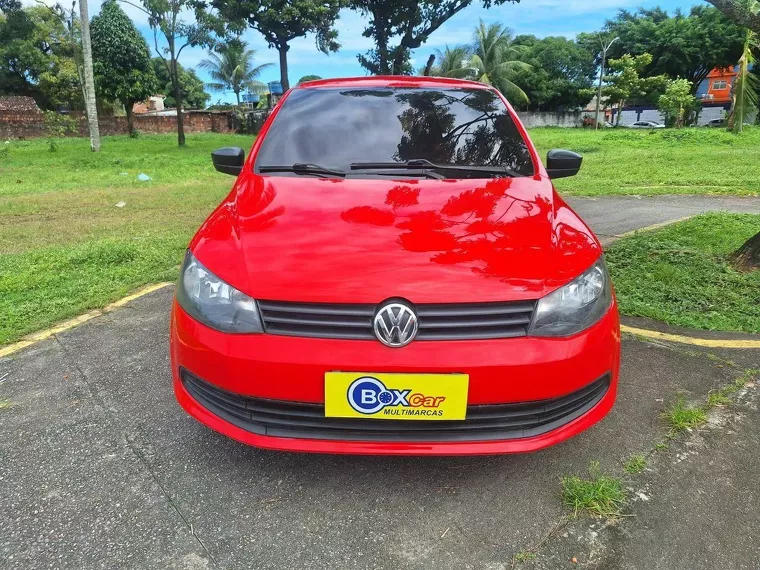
65 247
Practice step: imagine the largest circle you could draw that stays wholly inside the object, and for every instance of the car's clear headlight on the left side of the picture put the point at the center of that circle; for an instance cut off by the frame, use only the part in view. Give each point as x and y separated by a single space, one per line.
215 303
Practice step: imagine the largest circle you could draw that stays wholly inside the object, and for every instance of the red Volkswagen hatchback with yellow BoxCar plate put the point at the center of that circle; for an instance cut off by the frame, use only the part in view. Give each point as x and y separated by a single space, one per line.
394 273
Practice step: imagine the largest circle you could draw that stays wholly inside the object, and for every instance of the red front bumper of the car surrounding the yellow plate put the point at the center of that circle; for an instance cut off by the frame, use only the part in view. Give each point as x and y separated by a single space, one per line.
575 376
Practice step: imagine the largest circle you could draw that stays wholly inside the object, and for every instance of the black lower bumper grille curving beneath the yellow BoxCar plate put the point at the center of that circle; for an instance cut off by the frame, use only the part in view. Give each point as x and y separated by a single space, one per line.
307 421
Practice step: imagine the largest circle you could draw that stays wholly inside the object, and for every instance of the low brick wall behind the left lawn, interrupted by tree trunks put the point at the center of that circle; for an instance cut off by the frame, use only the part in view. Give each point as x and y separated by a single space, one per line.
26 124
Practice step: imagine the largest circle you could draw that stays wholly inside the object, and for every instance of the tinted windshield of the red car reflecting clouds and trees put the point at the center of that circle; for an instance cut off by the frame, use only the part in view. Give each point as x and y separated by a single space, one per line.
337 127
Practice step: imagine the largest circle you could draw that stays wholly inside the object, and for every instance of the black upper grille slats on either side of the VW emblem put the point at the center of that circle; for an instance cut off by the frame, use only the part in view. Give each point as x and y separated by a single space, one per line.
436 321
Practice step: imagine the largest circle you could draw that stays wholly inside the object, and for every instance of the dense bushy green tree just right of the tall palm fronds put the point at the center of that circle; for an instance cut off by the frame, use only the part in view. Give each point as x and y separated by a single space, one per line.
562 73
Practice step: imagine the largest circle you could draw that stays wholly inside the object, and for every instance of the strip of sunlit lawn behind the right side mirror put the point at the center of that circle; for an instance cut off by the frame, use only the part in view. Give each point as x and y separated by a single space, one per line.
663 161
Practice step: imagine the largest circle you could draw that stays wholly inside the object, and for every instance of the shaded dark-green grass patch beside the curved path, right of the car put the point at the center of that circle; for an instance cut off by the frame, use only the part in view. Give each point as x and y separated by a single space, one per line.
681 275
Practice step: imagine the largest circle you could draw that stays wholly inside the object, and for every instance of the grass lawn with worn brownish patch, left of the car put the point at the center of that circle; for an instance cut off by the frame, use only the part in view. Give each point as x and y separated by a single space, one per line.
66 248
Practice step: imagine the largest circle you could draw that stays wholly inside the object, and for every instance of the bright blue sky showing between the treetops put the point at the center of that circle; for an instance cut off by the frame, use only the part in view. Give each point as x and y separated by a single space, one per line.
539 17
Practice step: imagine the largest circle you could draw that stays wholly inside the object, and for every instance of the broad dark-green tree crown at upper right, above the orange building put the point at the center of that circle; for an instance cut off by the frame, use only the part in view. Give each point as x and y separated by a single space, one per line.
683 45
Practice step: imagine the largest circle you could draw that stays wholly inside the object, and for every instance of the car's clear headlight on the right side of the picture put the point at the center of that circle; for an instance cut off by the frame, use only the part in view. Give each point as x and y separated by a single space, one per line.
576 306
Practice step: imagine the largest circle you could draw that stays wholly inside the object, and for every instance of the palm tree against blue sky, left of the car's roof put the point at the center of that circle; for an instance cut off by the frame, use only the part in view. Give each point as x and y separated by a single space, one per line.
232 68
